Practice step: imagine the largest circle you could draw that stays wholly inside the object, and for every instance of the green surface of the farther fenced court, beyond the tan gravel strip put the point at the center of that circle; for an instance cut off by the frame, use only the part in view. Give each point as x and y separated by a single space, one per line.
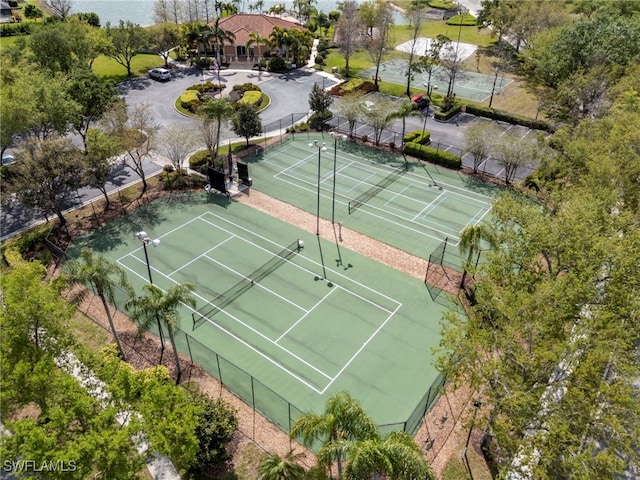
371 192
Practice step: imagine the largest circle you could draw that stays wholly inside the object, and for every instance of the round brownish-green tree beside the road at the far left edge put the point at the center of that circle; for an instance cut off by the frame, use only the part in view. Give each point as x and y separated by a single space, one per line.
44 182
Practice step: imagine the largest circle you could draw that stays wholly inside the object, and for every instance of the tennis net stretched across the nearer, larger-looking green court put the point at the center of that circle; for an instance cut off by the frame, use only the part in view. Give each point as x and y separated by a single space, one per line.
227 297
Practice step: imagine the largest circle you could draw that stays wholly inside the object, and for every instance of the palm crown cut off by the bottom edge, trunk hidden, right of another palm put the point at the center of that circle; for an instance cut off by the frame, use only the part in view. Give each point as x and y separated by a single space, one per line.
396 457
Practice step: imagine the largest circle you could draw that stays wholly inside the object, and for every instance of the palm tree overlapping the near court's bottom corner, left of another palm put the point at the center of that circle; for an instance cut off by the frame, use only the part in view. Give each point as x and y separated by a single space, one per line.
343 420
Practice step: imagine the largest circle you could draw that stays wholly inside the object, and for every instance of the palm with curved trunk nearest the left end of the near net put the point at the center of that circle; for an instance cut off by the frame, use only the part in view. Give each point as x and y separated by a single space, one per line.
157 304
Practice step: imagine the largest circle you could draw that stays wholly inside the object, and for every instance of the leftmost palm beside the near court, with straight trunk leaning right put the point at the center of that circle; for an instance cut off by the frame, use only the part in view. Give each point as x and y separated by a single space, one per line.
104 277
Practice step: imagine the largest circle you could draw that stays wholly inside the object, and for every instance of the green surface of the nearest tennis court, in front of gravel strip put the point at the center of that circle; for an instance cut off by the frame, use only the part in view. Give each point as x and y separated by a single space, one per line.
283 329
